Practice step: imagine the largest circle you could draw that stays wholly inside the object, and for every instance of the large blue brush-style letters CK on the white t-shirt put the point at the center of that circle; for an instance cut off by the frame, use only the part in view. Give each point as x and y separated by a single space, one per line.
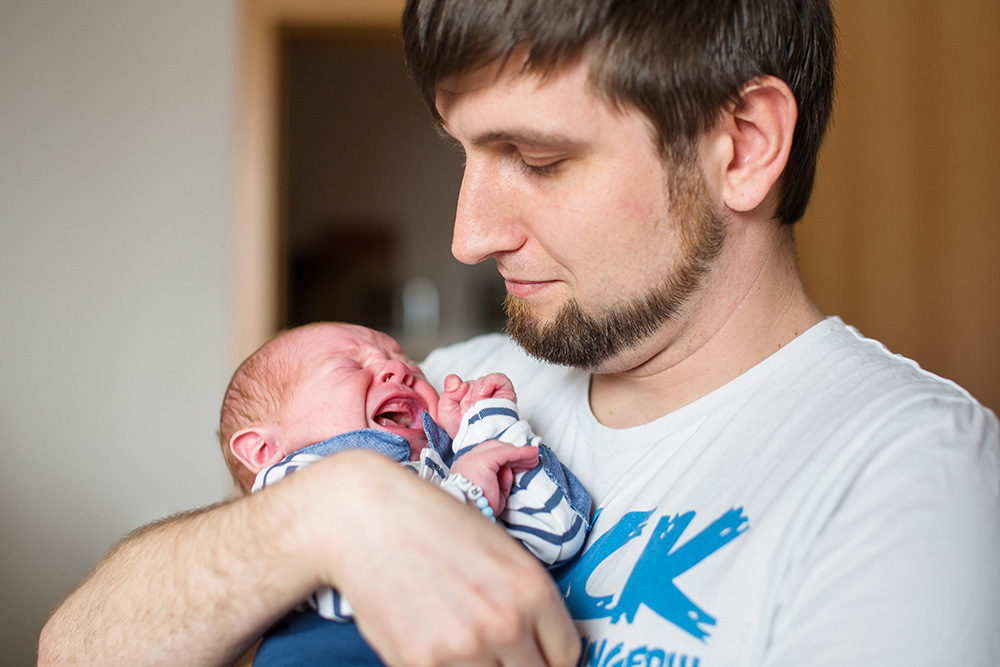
651 582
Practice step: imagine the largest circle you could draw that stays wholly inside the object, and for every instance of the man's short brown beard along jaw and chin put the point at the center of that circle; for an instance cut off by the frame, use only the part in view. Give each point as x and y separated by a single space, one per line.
587 340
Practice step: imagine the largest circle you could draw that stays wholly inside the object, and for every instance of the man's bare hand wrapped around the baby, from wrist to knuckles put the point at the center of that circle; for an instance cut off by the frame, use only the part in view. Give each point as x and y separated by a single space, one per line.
432 583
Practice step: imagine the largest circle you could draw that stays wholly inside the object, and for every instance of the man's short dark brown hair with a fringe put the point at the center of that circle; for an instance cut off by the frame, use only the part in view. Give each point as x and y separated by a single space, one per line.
679 62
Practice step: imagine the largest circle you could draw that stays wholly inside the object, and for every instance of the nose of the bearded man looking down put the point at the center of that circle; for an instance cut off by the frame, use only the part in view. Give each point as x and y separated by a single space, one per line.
486 220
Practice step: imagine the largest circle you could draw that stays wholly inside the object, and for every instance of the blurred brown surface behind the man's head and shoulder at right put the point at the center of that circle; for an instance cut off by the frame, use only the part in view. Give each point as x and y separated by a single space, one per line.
903 233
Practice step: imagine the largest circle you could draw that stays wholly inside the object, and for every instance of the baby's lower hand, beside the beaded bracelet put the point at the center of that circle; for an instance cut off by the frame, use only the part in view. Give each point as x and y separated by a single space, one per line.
492 466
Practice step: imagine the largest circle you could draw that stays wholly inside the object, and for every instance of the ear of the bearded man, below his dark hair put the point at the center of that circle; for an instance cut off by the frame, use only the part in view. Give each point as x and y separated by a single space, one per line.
756 135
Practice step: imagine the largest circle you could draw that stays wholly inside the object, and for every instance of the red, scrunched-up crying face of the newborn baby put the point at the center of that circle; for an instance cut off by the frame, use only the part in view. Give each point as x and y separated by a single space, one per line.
362 379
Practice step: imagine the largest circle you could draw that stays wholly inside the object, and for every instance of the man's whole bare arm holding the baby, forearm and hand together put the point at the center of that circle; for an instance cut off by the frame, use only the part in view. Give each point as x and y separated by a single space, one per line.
200 588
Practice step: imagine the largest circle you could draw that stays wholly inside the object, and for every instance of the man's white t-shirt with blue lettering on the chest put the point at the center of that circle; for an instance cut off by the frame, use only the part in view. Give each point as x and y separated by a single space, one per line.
834 505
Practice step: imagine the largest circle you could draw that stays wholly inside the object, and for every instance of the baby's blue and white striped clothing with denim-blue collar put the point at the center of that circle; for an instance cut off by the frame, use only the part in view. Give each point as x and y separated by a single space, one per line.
548 510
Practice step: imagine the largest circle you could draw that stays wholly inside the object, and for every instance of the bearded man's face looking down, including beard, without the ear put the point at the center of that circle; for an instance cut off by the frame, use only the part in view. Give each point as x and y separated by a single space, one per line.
569 197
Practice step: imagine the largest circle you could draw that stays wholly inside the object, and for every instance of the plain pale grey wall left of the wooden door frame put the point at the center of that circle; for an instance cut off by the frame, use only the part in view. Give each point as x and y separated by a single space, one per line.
116 142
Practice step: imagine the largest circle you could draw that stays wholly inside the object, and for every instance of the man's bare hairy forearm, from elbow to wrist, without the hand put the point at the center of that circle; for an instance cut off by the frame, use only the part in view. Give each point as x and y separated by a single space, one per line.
197 589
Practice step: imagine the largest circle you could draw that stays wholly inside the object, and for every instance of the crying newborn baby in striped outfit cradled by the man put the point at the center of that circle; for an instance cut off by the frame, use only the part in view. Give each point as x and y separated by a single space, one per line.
328 387
